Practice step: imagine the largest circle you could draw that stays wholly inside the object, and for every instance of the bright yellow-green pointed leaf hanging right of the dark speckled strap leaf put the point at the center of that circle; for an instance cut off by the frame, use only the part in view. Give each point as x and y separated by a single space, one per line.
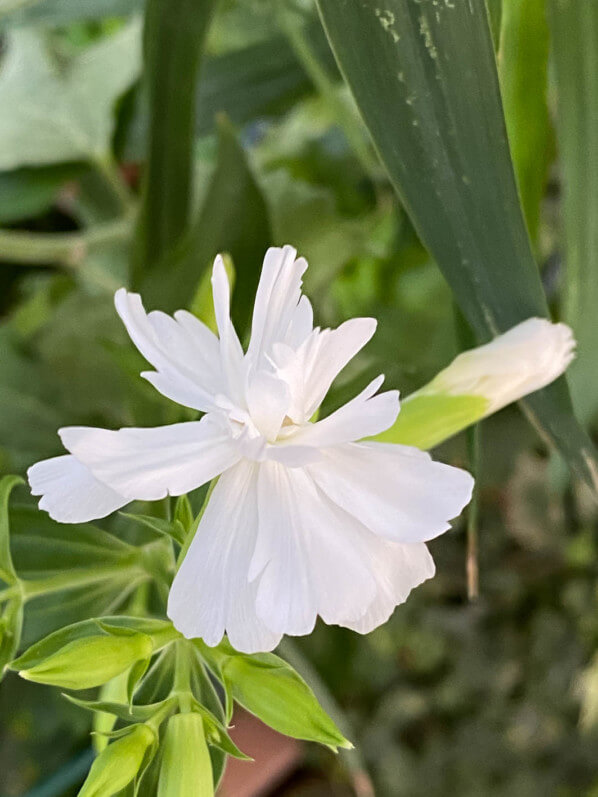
523 71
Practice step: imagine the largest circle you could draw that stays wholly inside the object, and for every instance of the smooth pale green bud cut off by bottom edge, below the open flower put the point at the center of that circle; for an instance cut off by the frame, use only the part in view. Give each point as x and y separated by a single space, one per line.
186 769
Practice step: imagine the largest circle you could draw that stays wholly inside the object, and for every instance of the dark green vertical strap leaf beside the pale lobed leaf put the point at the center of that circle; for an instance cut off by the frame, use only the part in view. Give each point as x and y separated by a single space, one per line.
174 35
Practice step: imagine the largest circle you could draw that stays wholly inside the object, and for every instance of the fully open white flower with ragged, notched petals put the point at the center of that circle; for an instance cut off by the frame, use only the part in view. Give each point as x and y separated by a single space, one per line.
304 521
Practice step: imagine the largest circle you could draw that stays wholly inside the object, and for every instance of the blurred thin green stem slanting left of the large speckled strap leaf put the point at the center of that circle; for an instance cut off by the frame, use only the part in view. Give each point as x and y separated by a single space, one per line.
294 29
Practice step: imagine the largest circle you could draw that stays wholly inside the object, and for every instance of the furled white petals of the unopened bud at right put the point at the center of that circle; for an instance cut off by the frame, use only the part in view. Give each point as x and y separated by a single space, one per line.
528 357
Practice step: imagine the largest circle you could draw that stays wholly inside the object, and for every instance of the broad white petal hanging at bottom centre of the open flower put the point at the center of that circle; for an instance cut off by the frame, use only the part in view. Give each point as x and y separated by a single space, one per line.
310 557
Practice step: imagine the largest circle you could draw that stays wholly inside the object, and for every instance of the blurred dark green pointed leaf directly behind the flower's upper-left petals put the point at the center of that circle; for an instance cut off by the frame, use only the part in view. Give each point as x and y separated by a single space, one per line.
233 219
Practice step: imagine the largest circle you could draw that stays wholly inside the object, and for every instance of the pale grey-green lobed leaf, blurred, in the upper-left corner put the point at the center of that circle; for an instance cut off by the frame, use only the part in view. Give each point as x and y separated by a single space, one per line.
62 112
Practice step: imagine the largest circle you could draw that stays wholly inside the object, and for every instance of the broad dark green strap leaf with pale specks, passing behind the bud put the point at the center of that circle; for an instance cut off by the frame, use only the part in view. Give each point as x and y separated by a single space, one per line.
423 73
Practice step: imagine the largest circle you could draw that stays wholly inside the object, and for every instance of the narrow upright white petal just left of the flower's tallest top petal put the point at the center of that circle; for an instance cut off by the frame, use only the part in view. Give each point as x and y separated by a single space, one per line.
231 351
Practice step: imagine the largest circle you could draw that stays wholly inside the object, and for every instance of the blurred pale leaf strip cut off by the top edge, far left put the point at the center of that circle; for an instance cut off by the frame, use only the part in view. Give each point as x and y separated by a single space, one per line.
62 12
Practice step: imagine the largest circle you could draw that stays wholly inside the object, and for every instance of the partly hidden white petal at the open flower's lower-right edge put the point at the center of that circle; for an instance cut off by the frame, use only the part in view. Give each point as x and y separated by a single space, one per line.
399 569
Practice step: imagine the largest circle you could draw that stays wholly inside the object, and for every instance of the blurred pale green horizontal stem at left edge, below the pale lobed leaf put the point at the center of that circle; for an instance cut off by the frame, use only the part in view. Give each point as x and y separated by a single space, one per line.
67 249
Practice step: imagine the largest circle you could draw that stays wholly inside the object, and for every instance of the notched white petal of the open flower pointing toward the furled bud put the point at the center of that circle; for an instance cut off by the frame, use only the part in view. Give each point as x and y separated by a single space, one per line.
364 416
